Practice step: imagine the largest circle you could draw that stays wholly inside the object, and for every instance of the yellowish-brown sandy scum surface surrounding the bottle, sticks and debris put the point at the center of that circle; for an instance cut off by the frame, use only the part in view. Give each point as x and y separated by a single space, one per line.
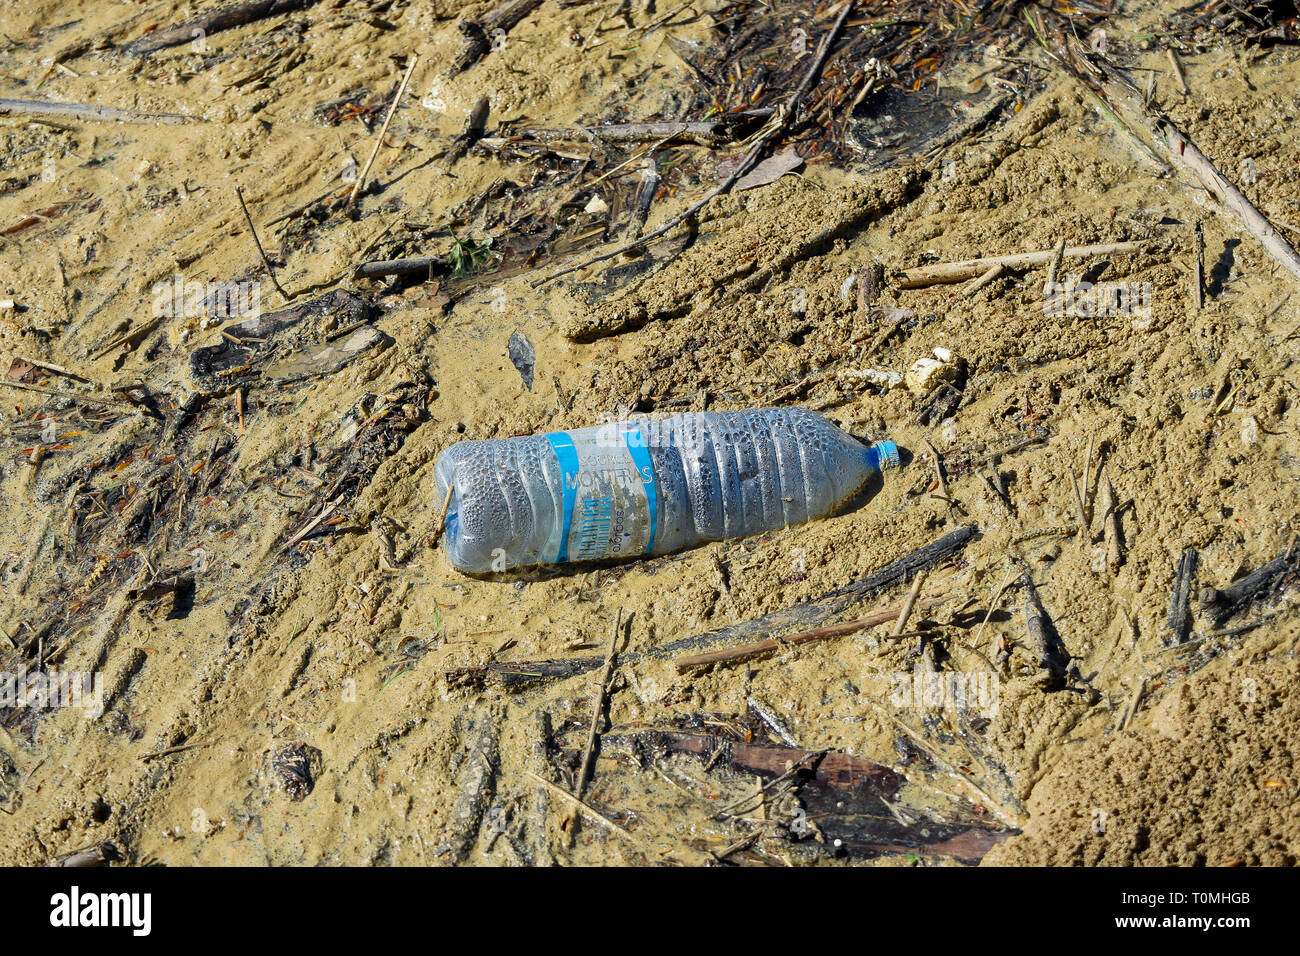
306 702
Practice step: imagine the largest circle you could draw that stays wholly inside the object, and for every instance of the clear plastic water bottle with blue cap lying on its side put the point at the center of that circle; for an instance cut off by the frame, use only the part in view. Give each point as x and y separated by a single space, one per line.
645 487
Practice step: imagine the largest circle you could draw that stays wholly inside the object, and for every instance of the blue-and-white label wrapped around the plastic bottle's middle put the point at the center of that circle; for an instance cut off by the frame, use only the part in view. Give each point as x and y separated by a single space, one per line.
610 496
